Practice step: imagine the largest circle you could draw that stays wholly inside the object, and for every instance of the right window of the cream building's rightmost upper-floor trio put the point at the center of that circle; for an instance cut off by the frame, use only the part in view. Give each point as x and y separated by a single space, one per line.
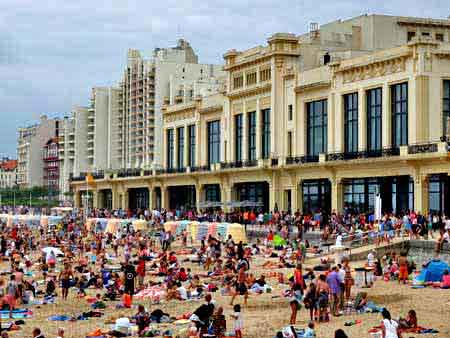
399 108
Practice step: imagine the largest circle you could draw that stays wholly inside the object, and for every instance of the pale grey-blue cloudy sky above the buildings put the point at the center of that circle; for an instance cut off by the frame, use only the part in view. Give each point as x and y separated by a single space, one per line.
53 52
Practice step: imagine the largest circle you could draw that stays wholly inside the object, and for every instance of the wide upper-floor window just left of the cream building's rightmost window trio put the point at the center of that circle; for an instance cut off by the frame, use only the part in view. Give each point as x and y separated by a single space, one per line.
317 127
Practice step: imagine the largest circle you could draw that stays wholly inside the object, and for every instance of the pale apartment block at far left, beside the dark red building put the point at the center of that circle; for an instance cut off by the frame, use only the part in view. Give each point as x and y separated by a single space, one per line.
31 141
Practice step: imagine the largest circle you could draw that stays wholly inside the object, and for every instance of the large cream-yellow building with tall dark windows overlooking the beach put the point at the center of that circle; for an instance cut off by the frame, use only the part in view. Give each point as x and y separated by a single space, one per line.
320 121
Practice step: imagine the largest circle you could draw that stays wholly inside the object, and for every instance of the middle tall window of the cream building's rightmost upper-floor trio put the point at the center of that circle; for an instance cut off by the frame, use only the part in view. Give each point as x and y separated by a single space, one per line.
374 108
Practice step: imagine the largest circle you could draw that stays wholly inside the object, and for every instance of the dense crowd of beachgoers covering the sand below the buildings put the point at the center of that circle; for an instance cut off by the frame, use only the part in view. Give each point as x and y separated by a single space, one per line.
143 262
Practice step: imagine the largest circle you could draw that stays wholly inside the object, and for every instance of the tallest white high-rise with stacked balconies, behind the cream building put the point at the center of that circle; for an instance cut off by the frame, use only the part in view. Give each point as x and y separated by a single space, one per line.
147 84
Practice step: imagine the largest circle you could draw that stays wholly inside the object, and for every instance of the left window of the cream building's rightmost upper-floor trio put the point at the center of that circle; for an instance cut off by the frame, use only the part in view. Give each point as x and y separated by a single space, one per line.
351 123
